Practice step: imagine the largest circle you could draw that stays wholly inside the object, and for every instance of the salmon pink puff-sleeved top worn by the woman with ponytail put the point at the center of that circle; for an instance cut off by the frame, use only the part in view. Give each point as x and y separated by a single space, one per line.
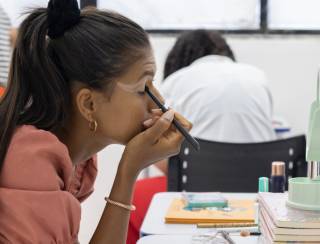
41 190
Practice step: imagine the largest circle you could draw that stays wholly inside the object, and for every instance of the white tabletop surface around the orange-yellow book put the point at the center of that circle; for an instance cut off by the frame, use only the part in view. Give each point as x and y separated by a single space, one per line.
154 224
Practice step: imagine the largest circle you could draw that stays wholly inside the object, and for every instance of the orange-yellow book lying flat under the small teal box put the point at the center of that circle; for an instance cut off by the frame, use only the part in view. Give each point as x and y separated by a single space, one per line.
238 211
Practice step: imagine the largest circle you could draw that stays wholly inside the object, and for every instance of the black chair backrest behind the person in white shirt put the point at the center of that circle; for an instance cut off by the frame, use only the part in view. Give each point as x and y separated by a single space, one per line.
233 167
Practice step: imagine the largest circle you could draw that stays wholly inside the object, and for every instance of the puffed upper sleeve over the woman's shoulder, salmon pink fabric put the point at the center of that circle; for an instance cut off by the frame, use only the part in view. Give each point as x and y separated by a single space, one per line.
35 160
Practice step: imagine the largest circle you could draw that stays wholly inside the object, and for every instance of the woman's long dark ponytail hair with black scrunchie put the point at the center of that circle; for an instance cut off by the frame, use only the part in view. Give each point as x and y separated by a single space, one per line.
56 46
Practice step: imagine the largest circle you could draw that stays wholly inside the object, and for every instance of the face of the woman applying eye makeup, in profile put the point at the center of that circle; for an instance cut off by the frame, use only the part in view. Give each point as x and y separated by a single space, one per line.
120 116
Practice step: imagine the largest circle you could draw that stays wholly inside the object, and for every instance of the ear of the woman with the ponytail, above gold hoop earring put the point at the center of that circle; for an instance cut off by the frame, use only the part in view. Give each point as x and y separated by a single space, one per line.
86 103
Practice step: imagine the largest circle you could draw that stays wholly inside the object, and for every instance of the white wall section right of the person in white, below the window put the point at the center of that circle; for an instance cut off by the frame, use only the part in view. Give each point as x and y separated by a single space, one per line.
291 65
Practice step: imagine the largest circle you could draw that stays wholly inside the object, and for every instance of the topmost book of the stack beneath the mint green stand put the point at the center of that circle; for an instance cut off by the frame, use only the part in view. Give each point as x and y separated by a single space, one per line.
285 216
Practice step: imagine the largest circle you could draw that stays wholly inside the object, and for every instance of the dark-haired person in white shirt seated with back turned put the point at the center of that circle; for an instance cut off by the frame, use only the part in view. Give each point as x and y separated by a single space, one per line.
226 101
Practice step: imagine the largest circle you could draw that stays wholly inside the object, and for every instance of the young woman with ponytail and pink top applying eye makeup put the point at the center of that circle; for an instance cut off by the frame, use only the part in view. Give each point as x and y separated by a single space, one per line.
76 85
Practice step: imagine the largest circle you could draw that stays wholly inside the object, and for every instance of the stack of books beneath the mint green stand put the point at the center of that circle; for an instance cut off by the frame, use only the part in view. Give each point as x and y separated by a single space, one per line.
280 223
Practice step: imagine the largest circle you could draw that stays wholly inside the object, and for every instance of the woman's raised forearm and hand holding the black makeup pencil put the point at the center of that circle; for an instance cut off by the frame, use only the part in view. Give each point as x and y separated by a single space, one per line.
160 141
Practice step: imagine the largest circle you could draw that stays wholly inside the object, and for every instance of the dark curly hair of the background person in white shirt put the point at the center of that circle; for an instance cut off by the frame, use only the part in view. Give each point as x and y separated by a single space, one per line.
192 45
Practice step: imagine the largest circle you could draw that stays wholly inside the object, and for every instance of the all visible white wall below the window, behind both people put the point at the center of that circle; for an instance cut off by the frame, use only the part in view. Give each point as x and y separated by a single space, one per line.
290 62
